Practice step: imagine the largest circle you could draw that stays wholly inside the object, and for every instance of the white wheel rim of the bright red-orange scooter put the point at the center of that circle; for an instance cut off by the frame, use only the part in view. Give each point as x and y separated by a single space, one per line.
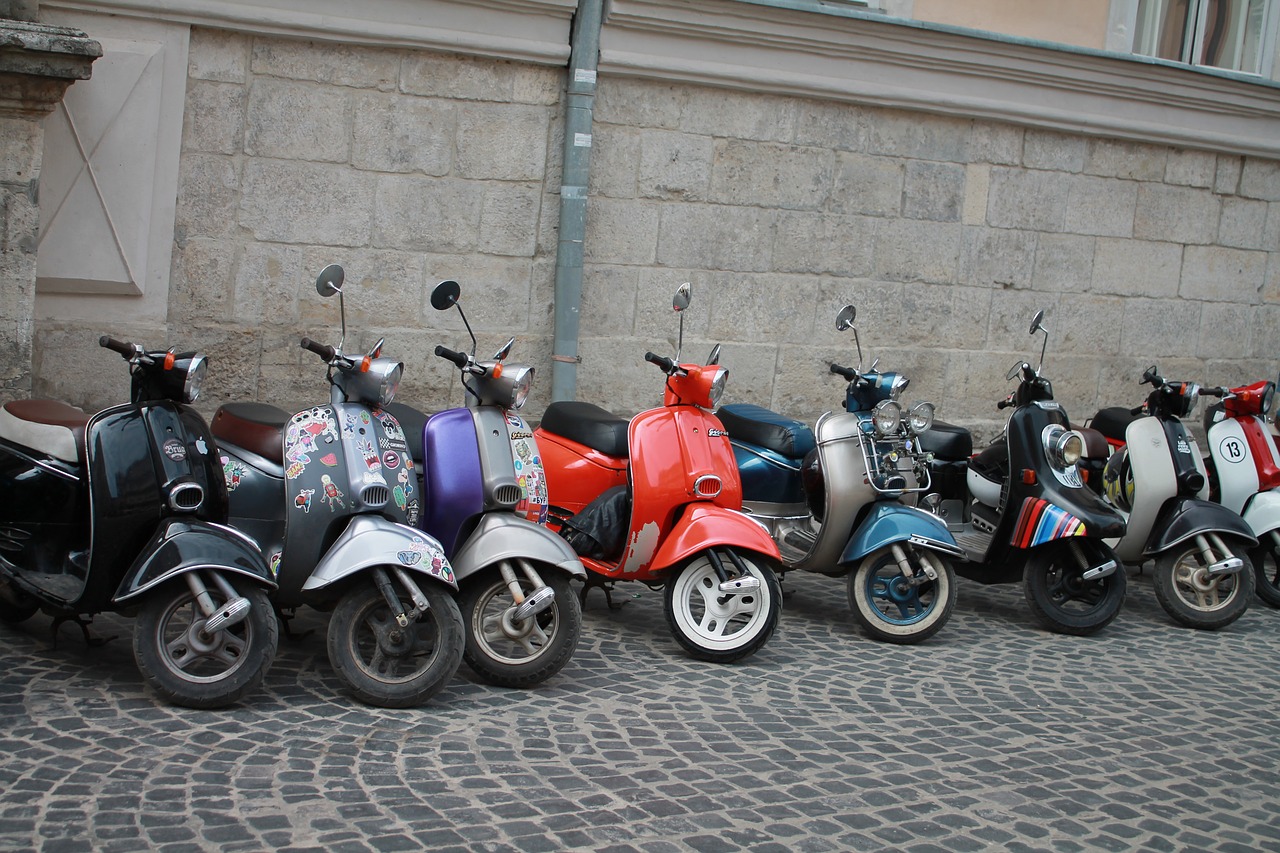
714 621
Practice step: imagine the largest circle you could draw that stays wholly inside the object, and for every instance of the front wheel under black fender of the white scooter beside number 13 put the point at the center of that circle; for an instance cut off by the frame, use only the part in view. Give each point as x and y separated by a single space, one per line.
1195 600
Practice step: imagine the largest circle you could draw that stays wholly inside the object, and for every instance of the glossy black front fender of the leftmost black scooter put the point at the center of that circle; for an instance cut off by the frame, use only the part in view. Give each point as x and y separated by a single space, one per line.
180 546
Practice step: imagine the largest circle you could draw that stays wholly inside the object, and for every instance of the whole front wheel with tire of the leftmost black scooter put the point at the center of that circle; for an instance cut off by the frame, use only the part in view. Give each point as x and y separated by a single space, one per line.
195 670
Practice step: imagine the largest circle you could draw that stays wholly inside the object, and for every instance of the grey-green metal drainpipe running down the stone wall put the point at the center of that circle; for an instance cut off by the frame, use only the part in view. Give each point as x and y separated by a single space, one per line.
584 52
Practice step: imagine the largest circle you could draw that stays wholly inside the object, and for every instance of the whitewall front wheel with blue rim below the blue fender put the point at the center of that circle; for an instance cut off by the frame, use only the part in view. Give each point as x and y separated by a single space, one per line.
890 609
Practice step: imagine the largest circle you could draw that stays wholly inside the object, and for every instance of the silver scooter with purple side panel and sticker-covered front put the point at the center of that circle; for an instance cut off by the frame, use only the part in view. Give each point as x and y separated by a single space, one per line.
484 499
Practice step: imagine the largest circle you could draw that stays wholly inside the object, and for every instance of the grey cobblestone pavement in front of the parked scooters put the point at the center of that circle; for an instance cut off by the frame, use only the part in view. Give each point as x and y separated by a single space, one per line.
995 735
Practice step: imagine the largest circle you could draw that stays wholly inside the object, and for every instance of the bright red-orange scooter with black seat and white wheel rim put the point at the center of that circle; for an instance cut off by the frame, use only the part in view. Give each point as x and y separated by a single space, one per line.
657 500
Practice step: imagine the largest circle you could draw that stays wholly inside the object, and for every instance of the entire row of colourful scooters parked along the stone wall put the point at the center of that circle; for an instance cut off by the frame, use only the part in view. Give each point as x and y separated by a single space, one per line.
458 537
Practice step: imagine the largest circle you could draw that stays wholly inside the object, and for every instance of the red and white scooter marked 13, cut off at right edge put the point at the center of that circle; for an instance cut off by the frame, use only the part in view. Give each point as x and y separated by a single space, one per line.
1245 475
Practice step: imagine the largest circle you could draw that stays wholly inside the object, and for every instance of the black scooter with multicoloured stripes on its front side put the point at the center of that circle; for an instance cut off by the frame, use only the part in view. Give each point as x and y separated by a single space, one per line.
1022 513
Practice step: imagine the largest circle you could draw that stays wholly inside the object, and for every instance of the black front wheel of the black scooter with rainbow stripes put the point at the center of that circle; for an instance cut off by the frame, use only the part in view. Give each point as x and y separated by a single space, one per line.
1059 596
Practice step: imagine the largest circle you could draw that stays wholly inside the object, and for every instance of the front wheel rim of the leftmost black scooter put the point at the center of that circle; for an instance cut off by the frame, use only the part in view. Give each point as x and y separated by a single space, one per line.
195 655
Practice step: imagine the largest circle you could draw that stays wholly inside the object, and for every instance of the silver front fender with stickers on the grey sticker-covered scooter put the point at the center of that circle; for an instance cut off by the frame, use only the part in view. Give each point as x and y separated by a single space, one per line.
373 541
